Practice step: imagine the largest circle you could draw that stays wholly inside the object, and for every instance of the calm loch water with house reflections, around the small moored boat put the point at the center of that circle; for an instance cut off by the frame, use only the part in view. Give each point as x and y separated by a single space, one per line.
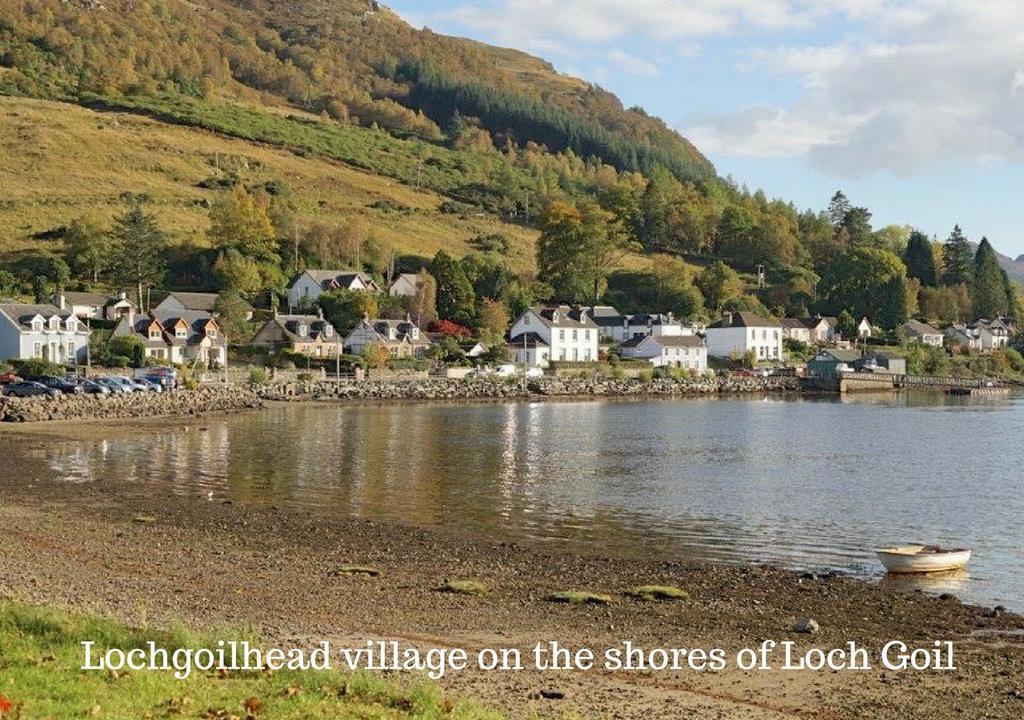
810 484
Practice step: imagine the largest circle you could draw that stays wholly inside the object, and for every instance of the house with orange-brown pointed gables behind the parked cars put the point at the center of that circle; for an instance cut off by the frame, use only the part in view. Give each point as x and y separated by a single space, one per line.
183 338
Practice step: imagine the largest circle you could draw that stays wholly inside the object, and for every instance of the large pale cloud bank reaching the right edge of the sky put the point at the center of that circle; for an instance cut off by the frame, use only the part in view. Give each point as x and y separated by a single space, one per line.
945 81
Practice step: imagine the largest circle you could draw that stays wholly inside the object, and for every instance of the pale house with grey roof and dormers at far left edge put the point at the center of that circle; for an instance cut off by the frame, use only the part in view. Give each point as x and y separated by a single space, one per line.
44 332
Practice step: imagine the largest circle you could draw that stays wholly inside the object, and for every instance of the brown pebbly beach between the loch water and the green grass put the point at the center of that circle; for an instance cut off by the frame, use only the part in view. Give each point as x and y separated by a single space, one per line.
220 563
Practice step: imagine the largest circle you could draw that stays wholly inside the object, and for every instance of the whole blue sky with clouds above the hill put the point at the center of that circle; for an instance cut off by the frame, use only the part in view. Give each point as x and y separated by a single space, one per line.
914 108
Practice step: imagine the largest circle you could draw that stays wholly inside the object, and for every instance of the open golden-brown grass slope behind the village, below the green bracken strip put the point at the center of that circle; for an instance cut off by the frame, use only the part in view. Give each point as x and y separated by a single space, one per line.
59 162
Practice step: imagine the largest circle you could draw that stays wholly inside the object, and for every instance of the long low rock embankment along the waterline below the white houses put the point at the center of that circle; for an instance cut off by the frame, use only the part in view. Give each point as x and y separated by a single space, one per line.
483 389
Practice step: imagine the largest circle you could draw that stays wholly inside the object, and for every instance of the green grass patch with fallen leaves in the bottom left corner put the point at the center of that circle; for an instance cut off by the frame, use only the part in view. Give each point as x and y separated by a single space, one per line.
41 657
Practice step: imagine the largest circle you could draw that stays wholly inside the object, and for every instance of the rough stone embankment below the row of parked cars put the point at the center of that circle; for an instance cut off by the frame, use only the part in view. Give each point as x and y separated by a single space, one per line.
205 400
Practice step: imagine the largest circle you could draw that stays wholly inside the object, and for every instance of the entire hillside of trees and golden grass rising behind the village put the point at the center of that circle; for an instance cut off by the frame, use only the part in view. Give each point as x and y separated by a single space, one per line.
439 145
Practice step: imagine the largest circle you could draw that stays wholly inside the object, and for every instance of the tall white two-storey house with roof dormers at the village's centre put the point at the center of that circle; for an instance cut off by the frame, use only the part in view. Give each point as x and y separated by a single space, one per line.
543 335
